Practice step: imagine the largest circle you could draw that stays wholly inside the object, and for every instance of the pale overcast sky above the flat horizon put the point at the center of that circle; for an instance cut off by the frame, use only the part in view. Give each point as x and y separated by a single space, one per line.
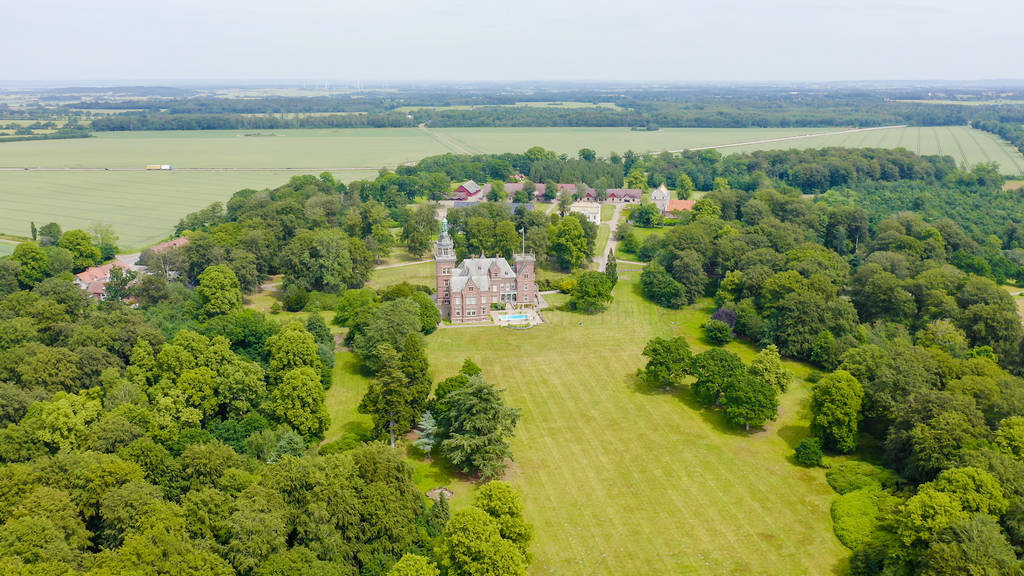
141 42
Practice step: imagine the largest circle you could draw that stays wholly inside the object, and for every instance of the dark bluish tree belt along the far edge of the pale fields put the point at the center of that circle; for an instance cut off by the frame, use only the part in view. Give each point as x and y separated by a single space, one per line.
711 113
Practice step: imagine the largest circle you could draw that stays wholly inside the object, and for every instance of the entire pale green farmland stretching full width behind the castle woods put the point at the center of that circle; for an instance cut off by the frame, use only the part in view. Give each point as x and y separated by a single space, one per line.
145 207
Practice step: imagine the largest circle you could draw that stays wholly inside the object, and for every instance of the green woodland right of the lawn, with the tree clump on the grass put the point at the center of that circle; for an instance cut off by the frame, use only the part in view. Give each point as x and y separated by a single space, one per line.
895 299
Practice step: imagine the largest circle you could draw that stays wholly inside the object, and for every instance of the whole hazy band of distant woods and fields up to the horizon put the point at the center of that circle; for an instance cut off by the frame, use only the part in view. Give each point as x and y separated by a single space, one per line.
699 106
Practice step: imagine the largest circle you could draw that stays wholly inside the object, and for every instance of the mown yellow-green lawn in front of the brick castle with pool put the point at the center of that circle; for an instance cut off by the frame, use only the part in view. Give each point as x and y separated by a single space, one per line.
621 479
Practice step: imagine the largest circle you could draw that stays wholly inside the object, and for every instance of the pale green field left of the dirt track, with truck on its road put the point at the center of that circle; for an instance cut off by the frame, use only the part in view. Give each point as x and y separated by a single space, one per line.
144 207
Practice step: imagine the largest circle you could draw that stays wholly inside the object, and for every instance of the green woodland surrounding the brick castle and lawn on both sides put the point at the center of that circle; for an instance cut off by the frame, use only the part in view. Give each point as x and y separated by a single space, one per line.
169 430
